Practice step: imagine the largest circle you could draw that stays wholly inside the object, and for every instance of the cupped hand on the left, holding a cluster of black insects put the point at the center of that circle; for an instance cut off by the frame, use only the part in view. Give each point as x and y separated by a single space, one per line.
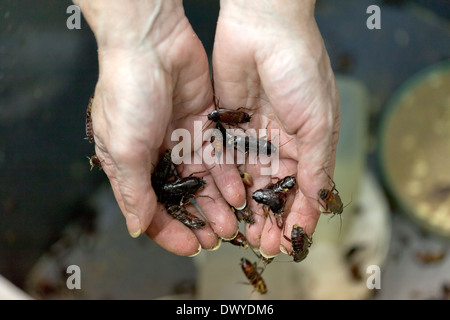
154 78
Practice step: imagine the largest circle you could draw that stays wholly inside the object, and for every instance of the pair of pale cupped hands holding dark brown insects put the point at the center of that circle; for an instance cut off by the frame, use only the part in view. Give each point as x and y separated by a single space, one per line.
154 78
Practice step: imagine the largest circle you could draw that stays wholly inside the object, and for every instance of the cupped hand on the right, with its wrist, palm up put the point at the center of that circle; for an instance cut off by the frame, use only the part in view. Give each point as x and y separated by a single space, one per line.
269 56
